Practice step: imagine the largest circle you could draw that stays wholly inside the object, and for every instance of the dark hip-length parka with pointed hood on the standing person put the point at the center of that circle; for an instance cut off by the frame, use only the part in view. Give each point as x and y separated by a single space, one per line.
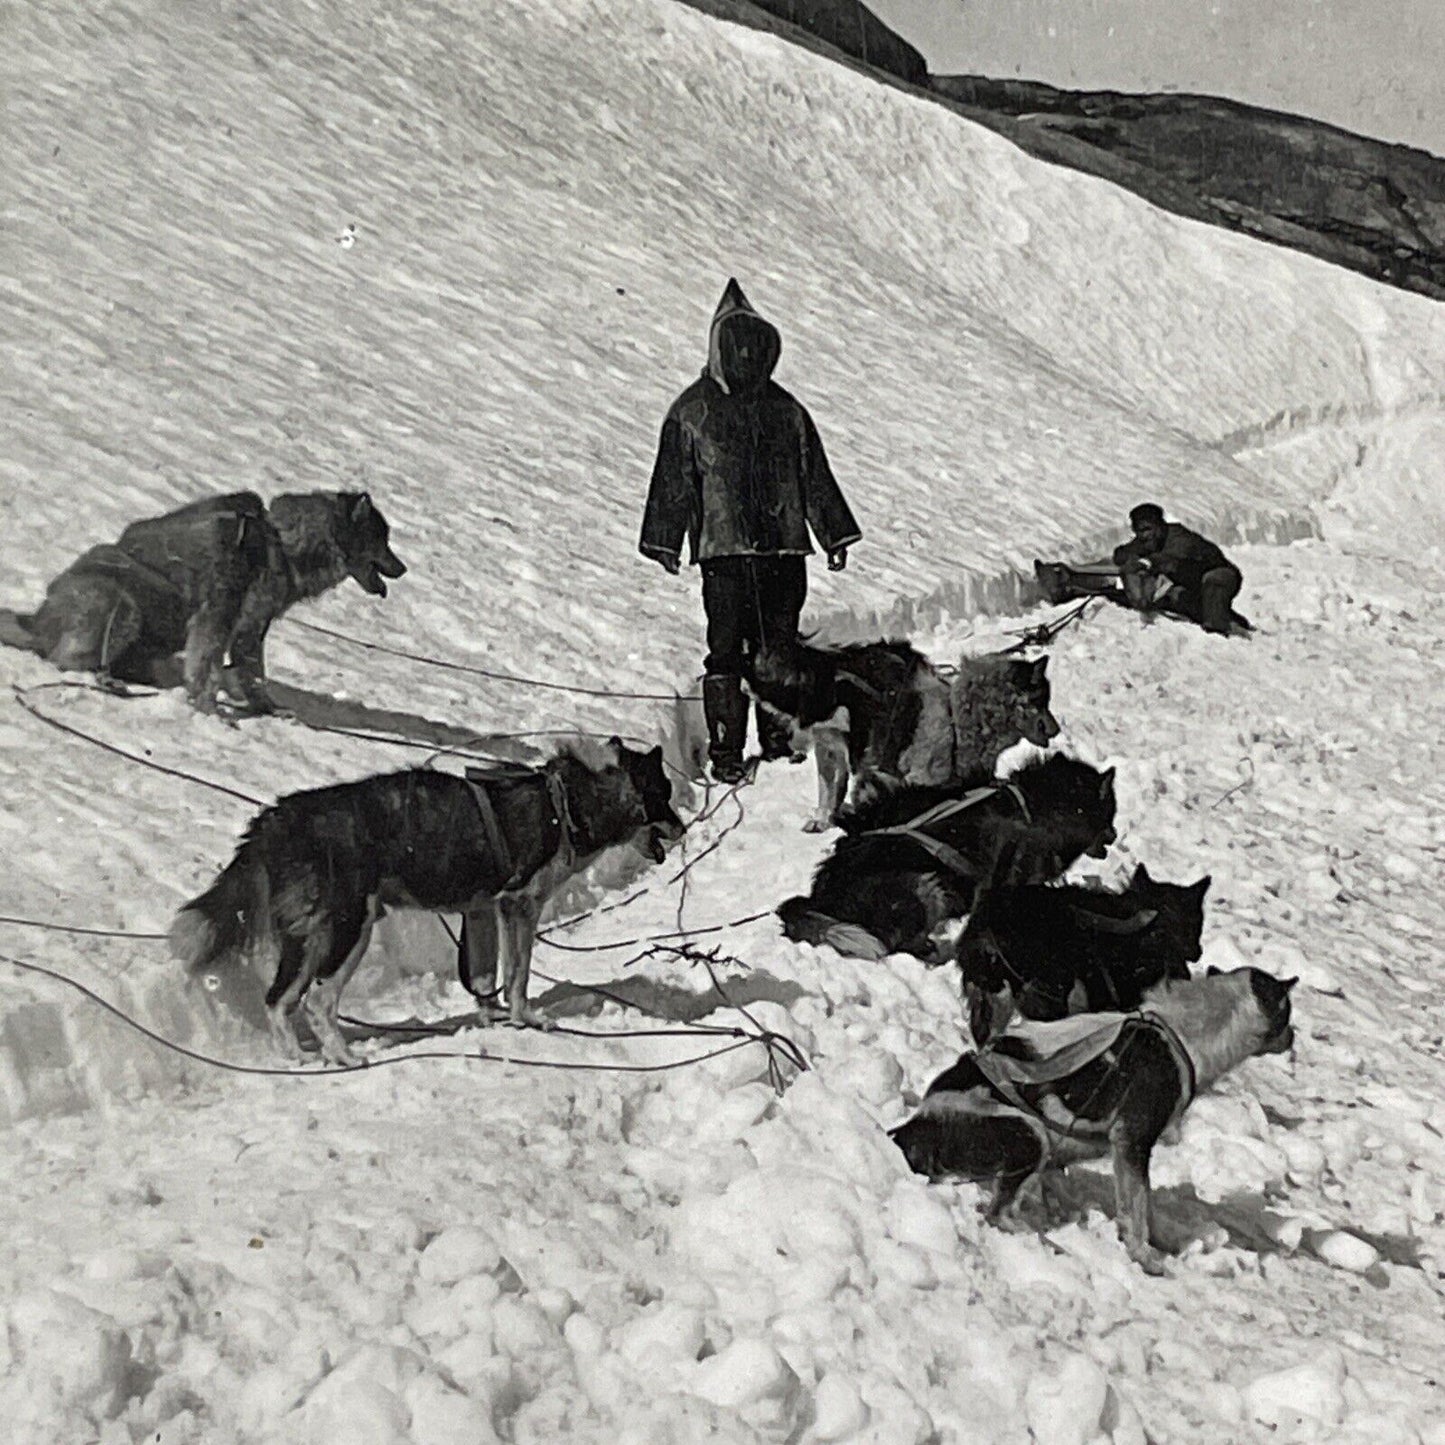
741 467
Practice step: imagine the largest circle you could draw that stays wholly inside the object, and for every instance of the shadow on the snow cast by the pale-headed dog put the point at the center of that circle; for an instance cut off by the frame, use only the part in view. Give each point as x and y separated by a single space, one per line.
1246 1220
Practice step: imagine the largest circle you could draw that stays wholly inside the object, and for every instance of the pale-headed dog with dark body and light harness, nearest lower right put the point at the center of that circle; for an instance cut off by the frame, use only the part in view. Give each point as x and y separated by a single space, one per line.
1092 1086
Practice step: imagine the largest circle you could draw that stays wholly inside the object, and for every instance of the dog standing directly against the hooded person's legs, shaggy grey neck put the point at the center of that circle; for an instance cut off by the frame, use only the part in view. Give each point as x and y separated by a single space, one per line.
884 710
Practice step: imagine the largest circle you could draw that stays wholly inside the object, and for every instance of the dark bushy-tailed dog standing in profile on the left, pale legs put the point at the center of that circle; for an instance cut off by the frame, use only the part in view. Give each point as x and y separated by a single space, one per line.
316 872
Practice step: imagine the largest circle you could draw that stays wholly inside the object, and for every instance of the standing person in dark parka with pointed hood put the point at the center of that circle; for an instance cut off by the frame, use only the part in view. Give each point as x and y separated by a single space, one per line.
743 476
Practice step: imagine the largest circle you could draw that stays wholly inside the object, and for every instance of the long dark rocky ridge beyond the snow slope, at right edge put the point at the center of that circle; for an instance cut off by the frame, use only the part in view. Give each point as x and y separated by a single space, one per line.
1346 199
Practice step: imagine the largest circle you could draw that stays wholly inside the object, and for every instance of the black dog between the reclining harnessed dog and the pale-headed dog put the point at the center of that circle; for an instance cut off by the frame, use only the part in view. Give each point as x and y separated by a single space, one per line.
1045 953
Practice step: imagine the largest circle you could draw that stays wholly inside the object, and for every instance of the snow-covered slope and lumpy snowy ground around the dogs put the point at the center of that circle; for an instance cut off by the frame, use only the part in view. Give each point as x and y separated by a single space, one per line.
1002 358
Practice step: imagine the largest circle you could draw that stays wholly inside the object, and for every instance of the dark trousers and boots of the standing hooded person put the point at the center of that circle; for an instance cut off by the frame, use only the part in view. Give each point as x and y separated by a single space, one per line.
751 602
